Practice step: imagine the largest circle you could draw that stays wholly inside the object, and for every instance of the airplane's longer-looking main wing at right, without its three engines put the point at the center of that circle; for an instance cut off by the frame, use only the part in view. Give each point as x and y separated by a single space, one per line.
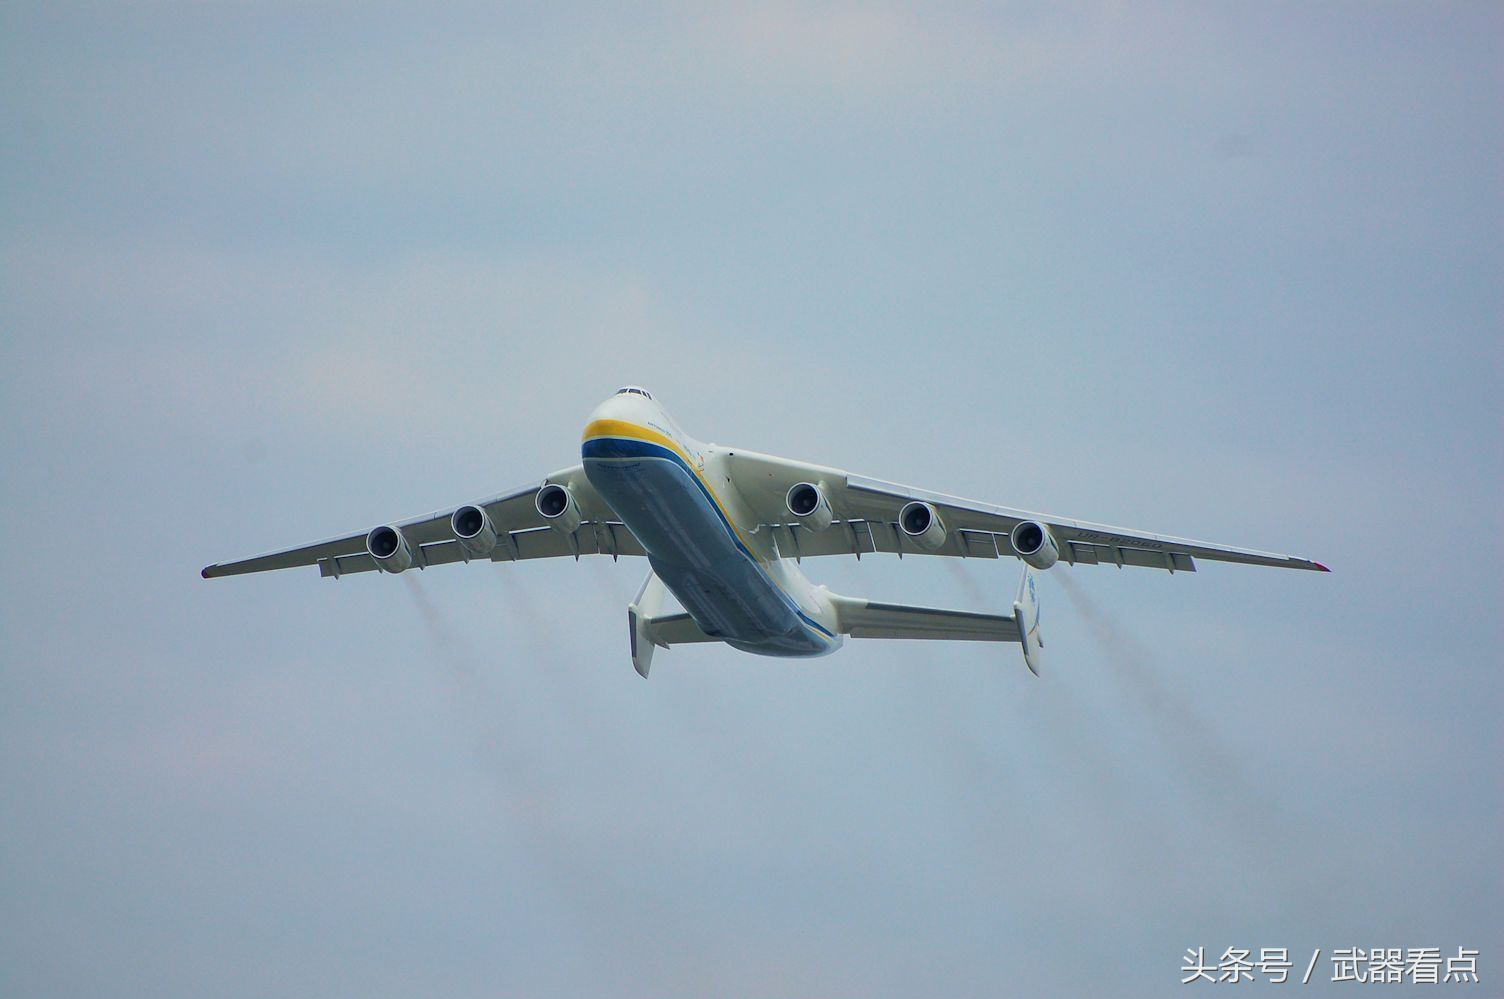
867 521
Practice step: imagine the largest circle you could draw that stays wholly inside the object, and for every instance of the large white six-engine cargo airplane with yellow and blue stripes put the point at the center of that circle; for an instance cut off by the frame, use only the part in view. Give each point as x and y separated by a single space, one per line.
726 530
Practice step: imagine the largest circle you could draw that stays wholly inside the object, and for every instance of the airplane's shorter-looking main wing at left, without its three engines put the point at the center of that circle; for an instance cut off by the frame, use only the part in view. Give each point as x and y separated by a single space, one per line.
521 533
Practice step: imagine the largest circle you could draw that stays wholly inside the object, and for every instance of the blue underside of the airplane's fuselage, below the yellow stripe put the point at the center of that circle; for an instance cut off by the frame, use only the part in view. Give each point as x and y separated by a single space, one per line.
694 553
